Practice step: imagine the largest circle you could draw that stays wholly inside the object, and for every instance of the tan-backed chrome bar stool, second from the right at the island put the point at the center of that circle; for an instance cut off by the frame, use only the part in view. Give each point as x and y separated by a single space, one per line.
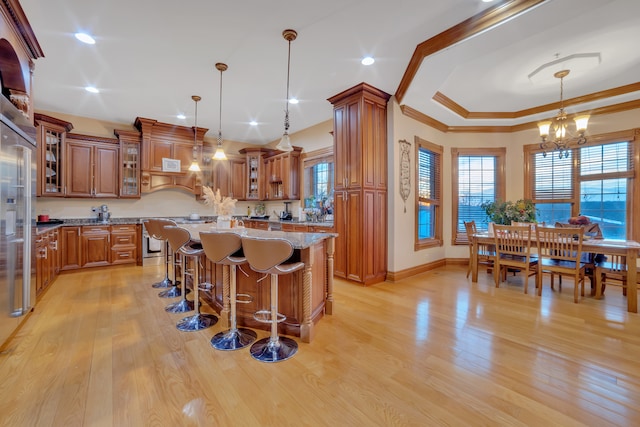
226 249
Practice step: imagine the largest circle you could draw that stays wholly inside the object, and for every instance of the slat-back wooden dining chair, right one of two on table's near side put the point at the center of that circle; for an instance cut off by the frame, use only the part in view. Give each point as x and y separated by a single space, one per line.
560 253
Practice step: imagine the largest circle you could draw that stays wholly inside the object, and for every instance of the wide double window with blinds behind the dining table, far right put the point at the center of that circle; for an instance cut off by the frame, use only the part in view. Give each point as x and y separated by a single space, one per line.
596 180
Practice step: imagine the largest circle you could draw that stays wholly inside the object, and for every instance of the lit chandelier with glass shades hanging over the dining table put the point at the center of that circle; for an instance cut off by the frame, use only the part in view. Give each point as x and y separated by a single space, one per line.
555 133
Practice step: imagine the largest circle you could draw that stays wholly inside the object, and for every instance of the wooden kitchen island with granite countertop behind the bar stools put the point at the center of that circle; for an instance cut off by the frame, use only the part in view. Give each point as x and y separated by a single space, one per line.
304 297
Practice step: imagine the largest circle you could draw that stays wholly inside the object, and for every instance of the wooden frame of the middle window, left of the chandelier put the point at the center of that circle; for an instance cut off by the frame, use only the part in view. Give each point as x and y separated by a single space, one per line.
500 153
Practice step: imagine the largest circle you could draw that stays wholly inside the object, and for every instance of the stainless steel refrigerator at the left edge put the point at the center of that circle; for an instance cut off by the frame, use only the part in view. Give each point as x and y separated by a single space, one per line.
18 220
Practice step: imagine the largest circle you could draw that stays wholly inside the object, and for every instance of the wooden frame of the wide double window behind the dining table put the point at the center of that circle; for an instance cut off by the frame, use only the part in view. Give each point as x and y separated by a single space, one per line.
632 136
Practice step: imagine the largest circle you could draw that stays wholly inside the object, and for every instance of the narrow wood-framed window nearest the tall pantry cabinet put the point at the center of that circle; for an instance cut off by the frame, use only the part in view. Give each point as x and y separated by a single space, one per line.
428 195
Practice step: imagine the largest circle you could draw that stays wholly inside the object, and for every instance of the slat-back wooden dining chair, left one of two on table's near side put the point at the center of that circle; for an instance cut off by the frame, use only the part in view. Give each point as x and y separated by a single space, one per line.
513 252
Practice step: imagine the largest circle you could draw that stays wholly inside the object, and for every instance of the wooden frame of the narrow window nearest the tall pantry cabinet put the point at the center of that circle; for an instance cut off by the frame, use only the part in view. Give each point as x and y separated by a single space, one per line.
437 239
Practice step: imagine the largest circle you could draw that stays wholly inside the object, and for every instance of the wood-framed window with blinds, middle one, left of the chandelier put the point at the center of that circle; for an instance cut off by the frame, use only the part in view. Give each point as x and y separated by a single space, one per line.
477 177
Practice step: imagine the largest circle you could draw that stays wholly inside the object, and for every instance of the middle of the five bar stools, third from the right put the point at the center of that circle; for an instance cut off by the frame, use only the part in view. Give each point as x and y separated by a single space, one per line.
190 252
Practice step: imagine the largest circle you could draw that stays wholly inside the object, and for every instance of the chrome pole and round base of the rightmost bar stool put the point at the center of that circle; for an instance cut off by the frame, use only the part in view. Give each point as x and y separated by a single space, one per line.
274 348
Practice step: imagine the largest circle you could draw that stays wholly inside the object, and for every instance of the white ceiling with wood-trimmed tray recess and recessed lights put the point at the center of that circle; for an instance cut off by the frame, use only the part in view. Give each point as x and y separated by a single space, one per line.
151 56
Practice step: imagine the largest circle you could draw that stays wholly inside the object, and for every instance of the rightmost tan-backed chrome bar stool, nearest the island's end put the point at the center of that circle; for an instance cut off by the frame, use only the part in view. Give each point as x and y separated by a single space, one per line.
271 256
